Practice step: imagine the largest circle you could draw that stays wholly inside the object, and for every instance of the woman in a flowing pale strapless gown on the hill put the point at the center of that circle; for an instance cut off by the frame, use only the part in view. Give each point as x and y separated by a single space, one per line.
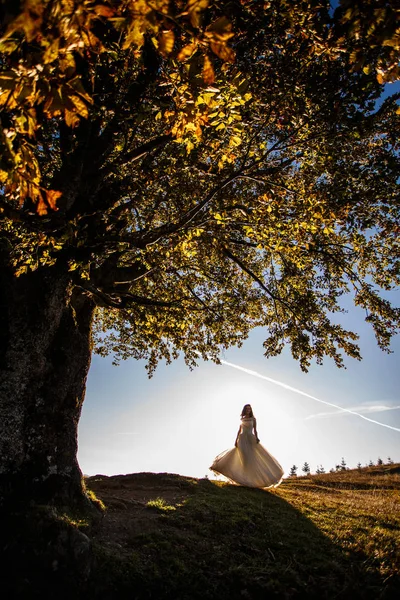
248 463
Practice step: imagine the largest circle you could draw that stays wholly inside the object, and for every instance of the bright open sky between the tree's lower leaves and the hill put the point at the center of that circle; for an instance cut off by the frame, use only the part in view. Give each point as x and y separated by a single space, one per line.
179 420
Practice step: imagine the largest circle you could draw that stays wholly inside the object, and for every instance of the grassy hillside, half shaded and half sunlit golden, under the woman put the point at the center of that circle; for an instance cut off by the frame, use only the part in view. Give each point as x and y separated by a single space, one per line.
169 537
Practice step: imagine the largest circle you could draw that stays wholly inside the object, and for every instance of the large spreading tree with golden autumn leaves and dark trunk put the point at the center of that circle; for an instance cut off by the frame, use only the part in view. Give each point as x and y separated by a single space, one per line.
173 175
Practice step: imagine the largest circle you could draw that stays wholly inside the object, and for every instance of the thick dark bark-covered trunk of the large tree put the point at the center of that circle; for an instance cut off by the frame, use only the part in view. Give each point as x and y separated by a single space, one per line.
45 351
